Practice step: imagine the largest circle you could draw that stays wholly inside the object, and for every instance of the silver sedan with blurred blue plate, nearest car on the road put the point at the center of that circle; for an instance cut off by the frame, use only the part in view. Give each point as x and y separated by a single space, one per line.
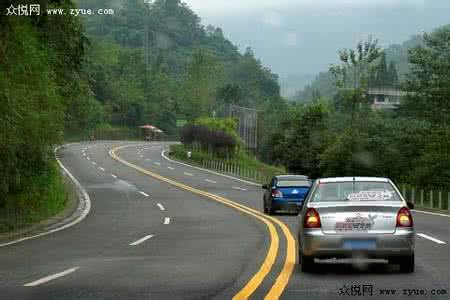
348 217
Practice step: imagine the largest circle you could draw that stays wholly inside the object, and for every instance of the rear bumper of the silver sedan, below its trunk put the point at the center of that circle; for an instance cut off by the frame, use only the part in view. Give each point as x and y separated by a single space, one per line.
313 242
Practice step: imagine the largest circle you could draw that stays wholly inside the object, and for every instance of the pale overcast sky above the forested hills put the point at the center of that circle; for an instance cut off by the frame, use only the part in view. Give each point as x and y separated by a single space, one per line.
295 37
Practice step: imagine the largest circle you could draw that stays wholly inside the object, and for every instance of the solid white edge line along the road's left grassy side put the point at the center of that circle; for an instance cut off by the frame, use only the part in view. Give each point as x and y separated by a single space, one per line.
81 194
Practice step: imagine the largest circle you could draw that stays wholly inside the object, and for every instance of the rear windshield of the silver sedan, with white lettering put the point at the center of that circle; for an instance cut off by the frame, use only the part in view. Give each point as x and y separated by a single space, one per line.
355 191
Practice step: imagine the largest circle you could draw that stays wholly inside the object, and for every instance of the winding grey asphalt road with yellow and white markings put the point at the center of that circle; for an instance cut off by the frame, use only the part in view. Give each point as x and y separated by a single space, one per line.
158 229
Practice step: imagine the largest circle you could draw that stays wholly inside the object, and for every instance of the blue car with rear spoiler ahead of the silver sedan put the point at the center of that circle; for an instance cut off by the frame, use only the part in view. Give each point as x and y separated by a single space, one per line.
285 192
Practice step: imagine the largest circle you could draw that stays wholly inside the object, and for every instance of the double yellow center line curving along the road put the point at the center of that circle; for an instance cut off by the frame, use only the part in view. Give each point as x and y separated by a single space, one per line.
283 277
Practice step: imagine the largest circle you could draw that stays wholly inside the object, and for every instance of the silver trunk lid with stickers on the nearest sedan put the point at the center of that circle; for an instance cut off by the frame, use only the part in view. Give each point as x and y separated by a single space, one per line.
357 218
